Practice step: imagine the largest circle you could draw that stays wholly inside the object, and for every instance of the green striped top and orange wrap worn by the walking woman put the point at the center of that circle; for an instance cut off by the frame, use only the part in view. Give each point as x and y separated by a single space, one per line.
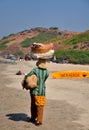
40 91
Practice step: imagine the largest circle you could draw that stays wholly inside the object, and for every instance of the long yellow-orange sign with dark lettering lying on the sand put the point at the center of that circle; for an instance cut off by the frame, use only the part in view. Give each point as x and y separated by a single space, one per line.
71 74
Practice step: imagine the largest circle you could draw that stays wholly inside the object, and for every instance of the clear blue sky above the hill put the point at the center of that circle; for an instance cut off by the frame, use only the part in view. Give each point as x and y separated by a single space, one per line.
20 15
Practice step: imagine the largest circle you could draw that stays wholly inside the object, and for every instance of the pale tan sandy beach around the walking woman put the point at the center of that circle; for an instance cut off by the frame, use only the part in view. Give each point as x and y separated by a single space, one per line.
67 106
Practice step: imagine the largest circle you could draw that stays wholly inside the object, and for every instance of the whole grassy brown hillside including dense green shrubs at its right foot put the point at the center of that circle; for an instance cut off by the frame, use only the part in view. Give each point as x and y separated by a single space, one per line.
72 46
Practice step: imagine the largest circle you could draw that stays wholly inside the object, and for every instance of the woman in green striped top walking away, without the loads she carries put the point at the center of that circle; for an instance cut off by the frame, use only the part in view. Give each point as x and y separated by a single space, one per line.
38 94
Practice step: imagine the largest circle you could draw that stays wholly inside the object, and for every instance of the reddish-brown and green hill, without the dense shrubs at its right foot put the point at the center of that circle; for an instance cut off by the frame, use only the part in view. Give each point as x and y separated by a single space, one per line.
19 44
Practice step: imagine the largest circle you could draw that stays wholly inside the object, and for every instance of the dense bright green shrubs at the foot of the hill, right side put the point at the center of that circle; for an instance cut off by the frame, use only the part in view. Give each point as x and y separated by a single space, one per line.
73 56
